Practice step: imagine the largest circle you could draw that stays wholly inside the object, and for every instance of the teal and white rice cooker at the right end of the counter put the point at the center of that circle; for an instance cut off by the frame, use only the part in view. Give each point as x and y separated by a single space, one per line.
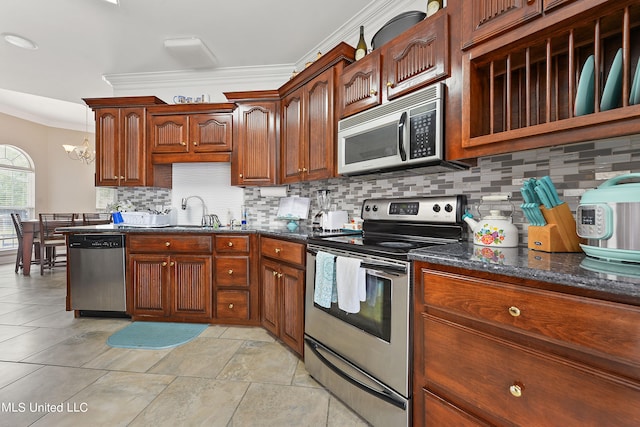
608 218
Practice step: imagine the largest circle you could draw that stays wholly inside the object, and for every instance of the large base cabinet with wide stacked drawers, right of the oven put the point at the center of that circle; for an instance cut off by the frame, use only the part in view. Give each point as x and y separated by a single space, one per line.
537 356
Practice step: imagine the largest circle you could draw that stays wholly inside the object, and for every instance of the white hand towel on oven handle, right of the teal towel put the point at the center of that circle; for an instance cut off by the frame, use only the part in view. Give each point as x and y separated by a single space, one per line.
350 283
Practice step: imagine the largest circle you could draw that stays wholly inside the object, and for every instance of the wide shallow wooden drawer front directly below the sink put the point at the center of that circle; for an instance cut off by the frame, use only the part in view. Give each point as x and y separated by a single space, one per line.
170 243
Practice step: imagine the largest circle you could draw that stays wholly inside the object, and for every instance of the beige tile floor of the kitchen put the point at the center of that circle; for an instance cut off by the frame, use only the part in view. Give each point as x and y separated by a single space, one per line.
56 370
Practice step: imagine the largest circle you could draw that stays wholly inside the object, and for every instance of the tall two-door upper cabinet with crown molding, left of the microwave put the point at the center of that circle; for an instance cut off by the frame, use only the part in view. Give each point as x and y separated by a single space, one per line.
309 122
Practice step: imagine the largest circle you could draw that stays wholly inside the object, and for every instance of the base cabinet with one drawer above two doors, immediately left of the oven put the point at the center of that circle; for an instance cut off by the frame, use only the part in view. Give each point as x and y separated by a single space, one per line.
282 271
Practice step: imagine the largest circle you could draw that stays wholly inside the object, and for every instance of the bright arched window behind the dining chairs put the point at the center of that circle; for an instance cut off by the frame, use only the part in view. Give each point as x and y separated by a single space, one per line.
17 191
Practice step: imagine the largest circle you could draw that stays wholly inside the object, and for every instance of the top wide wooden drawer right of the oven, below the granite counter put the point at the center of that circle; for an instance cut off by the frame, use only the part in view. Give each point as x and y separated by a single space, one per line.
610 329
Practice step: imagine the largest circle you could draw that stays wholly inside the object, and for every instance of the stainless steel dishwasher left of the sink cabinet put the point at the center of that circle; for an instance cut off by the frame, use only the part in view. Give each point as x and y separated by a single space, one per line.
97 273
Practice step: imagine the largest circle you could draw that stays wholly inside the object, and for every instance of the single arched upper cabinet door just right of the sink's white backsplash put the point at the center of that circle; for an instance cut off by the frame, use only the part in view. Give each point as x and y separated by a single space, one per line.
255 155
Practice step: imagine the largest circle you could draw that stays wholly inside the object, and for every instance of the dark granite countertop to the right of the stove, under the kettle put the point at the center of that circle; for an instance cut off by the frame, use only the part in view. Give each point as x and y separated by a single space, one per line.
619 281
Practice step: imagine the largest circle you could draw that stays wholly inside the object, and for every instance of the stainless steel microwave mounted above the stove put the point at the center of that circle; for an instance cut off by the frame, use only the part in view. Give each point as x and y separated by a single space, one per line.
403 133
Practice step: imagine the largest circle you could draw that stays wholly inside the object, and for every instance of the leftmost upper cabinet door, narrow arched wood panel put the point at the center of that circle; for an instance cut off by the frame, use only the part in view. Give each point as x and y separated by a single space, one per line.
107 147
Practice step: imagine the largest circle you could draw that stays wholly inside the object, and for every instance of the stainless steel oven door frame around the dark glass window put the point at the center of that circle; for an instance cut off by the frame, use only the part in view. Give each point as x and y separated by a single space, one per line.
386 361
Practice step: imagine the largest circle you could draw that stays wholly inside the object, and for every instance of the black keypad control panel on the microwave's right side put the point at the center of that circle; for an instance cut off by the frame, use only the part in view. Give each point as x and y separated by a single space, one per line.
423 128
